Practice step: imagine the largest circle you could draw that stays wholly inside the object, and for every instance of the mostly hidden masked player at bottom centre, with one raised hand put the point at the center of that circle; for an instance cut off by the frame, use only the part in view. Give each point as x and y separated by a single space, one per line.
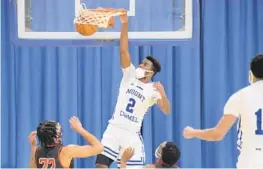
167 155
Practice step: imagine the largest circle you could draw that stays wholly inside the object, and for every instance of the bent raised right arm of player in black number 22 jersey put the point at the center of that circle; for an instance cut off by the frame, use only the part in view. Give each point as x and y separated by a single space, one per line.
76 151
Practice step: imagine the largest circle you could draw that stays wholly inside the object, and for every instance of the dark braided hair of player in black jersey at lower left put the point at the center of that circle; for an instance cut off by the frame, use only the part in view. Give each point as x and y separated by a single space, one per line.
48 134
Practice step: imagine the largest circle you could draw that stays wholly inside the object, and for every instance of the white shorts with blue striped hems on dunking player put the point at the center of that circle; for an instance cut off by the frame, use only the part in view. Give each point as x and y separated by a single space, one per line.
115 140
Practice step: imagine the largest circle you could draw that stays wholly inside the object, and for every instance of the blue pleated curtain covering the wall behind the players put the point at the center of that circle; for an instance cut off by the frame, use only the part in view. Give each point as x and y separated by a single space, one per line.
58 82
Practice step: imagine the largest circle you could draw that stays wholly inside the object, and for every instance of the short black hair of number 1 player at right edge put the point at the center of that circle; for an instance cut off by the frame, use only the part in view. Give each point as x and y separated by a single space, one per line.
256 66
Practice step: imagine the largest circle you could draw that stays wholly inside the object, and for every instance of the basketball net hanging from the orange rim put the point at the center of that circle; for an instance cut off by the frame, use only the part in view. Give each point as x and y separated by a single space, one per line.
99 17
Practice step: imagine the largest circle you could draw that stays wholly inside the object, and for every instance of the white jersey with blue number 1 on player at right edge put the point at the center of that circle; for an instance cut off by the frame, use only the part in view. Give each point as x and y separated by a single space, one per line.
247 104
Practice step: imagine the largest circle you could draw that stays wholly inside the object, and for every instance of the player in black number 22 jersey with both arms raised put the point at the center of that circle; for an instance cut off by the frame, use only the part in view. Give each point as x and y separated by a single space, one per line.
52 154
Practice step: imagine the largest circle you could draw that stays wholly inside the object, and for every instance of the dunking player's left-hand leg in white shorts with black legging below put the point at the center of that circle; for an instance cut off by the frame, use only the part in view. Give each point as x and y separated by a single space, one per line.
111 149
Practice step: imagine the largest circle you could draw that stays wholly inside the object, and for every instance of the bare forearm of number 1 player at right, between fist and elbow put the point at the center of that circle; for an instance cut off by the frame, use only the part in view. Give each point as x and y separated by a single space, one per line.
208 134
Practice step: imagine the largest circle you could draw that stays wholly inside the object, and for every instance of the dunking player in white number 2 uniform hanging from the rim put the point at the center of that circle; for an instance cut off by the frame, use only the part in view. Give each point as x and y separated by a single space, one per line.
136 95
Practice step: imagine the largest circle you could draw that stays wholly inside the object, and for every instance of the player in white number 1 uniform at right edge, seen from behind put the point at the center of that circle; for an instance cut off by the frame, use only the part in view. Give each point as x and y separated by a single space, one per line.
247 105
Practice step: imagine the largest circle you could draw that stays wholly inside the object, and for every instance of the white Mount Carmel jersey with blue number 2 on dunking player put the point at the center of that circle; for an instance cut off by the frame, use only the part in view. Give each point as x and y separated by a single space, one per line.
134 100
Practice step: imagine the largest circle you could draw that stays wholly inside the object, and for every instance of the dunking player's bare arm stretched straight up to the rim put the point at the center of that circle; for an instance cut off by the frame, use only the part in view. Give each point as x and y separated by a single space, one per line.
124 47
